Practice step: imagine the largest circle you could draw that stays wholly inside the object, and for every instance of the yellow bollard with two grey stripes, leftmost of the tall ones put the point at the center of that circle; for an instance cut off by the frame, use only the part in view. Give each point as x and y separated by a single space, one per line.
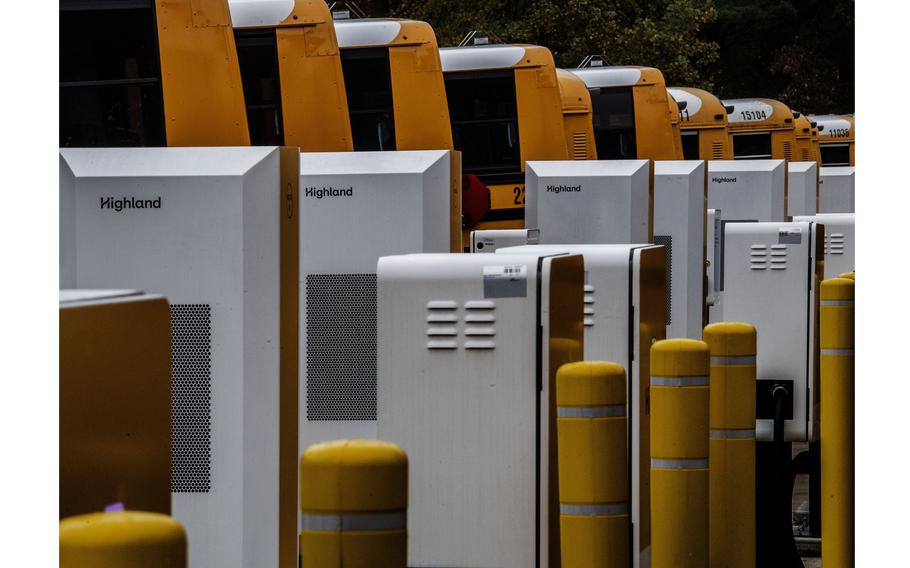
593 465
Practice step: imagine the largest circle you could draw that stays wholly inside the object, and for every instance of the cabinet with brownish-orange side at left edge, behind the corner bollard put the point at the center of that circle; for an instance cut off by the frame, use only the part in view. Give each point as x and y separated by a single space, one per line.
115 401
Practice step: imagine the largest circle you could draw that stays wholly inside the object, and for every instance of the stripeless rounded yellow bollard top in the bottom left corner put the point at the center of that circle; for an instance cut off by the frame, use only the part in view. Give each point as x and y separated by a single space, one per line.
122 539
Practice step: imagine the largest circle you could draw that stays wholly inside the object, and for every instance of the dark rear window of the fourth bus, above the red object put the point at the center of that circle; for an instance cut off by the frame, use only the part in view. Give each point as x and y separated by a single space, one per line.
484 114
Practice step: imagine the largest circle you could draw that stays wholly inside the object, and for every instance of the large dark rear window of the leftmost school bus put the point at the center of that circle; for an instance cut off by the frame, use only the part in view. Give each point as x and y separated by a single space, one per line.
110 77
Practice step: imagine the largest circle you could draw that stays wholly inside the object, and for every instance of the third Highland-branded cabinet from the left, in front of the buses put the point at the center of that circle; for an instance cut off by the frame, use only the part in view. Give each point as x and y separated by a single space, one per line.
589 202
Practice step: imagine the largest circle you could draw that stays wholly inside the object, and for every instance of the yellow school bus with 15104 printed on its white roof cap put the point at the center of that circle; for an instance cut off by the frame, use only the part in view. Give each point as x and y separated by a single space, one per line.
761 129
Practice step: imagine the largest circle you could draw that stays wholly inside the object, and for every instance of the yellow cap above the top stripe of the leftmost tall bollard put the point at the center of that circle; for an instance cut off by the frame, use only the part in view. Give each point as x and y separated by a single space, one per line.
590 383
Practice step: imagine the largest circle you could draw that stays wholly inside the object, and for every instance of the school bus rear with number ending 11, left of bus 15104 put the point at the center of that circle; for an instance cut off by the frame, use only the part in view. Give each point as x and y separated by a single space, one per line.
703 124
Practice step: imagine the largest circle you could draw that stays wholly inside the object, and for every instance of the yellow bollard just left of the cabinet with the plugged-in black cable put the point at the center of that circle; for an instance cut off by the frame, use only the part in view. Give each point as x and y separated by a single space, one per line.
732 445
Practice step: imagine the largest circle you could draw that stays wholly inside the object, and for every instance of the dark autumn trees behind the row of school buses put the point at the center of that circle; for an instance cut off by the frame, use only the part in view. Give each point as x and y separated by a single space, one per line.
797 51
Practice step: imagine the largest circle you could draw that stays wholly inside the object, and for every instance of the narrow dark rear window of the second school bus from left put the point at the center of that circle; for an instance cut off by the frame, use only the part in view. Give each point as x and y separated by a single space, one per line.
257 54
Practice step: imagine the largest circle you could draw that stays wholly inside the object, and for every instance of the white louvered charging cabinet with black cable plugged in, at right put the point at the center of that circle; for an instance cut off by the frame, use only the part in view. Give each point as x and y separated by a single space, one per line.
771 277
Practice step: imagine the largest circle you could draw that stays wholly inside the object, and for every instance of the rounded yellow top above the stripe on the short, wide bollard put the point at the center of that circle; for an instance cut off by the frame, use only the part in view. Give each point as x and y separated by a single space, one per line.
344 476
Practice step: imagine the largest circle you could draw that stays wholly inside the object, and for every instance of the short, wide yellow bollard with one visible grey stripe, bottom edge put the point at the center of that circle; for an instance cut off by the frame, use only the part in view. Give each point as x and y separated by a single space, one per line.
353 502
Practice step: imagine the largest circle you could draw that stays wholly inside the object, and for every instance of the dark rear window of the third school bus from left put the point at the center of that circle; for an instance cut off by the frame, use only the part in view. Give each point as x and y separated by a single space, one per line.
368 83
